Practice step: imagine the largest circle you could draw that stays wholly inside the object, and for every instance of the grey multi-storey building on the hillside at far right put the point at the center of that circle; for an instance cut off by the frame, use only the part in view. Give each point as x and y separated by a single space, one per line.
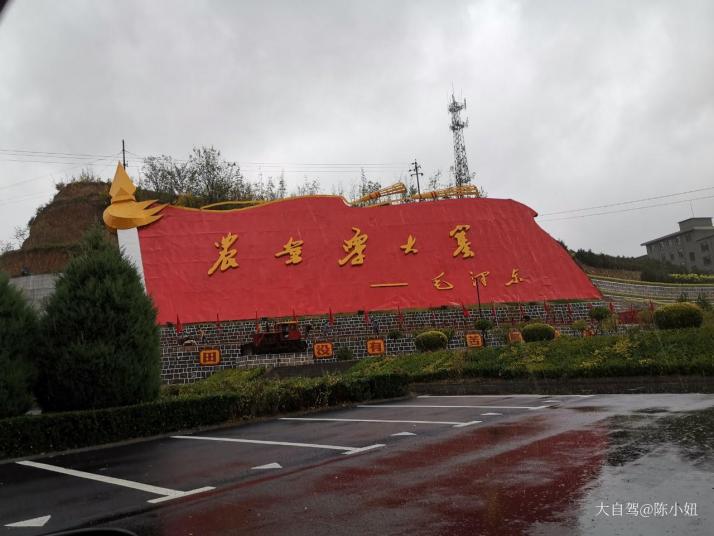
691 247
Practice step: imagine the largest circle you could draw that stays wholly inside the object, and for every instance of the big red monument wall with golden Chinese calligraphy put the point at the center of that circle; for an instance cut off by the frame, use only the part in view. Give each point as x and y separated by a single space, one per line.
315 254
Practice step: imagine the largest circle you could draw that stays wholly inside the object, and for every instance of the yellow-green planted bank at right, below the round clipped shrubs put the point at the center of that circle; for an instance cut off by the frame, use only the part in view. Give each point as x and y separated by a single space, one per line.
650 353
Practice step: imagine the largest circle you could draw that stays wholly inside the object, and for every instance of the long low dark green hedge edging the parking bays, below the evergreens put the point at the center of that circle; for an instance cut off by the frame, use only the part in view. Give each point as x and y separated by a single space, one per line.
26 435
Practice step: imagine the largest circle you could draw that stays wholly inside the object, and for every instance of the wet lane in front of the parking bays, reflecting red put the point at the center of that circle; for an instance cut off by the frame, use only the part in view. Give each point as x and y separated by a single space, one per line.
614 464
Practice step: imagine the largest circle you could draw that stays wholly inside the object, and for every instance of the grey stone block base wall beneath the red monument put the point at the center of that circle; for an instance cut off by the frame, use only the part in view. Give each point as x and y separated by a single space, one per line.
180 362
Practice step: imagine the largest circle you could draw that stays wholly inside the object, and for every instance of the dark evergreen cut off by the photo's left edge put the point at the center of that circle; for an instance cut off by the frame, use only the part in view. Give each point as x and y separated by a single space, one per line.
18 332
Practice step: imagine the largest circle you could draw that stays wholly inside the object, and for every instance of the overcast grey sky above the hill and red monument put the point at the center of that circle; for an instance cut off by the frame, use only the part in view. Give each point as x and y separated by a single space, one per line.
571 104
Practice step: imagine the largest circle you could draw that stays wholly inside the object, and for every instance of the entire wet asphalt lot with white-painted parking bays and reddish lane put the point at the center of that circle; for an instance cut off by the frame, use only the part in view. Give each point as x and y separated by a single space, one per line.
539 465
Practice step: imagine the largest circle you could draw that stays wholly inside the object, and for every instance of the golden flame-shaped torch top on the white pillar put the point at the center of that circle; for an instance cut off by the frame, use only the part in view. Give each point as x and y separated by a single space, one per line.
125 212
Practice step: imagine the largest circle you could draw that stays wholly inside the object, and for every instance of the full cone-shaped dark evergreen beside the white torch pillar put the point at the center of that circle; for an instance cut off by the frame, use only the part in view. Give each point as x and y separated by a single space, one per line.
101 343
